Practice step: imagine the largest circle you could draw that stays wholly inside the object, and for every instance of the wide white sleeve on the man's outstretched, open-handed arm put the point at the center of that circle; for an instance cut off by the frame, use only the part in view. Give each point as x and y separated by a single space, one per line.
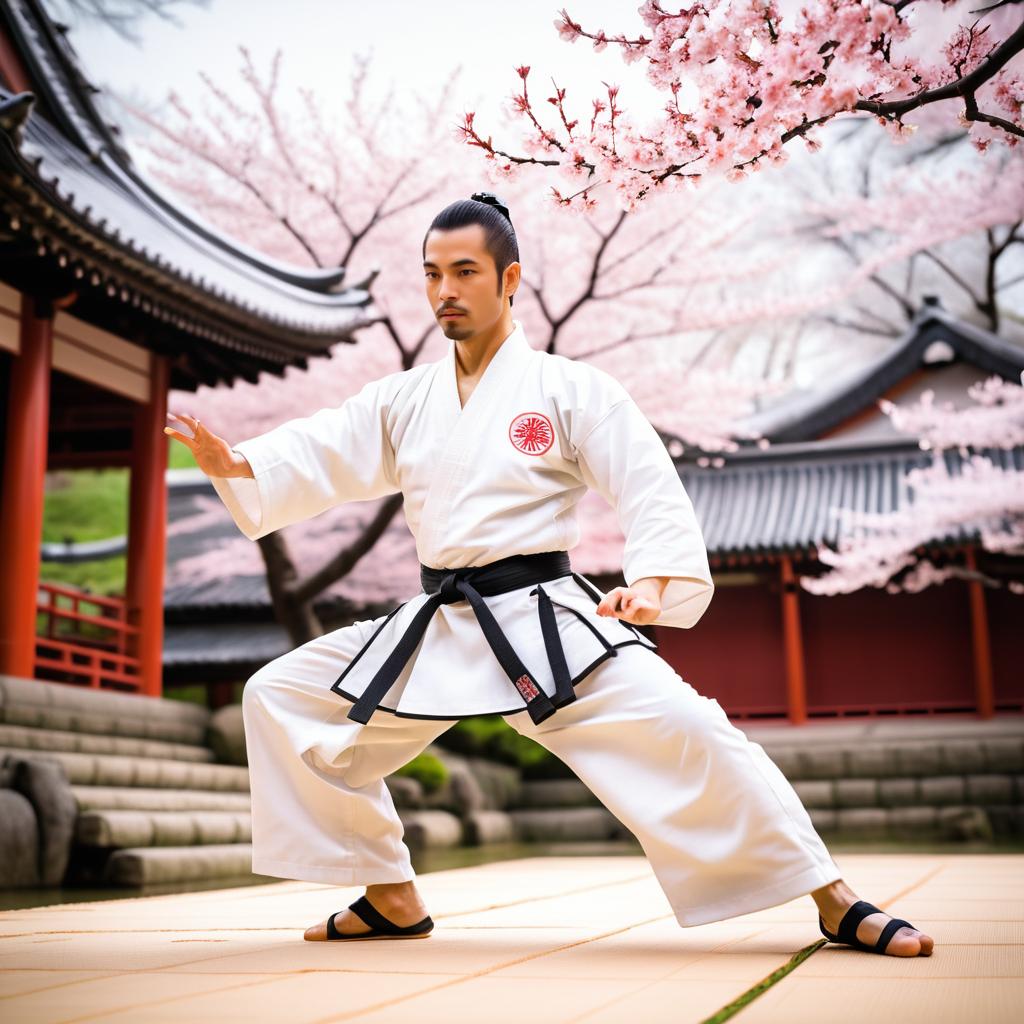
309 464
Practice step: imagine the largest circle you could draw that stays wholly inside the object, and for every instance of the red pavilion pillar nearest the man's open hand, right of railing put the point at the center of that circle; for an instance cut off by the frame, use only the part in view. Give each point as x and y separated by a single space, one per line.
148 529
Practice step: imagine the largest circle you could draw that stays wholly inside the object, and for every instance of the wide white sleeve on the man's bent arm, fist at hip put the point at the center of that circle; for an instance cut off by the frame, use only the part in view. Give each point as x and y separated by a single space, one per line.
624 459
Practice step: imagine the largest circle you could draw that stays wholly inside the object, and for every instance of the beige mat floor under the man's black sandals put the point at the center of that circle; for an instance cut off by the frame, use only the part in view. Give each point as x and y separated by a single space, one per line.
545 941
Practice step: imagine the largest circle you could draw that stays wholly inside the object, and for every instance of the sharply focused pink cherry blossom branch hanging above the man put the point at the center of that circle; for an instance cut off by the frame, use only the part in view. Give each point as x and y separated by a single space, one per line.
758 75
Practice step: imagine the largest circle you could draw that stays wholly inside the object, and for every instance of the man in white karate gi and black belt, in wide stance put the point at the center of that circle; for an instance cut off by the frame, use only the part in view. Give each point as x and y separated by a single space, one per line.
493 447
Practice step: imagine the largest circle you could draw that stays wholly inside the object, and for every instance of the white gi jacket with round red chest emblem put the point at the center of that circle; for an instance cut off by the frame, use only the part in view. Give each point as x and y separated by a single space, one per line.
501 477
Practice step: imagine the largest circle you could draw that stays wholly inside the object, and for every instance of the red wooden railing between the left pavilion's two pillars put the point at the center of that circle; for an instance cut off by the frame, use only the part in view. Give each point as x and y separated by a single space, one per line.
89 649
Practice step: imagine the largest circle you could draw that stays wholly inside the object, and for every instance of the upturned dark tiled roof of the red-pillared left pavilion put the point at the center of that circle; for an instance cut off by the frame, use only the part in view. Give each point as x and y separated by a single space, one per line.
77 216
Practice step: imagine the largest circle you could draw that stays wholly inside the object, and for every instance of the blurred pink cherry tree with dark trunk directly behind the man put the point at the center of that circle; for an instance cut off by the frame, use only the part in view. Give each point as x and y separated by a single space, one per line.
361 195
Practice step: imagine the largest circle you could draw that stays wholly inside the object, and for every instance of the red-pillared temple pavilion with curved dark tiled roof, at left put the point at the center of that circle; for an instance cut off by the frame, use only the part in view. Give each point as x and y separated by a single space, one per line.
110 295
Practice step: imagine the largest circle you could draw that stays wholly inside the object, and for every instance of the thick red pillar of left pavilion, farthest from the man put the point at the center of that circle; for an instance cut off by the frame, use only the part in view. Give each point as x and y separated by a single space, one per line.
24 488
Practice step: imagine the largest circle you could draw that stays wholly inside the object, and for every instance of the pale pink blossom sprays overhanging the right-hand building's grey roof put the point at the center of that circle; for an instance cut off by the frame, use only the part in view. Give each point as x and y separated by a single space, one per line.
984 495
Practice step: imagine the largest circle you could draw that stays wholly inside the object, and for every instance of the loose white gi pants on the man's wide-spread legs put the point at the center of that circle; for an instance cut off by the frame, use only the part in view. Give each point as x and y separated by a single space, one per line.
723 831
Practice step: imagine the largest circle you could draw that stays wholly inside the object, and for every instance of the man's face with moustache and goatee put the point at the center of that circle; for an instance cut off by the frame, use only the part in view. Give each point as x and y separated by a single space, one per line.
460 277
